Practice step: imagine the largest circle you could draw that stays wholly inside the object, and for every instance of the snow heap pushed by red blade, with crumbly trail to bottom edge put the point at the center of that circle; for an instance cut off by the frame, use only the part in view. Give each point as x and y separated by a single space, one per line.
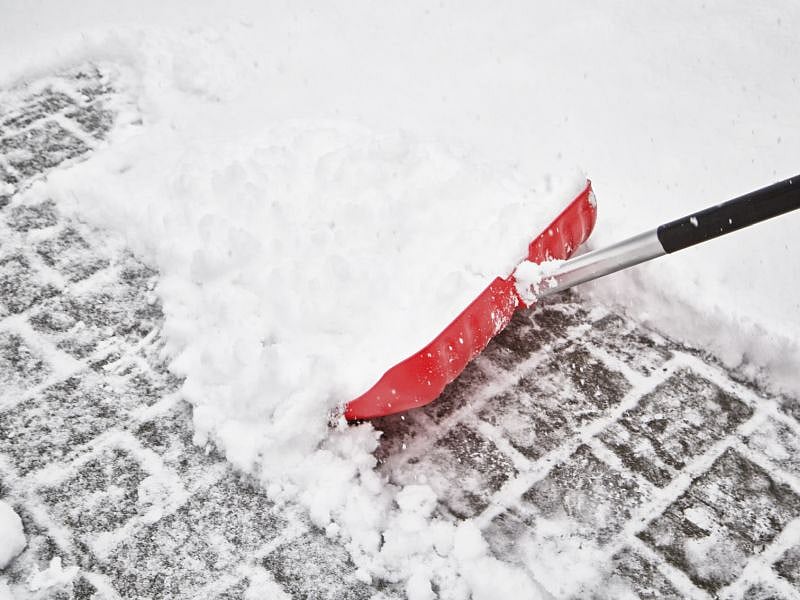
299 261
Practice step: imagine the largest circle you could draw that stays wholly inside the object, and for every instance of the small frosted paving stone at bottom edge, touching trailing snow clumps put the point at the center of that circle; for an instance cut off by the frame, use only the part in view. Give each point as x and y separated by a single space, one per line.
314 568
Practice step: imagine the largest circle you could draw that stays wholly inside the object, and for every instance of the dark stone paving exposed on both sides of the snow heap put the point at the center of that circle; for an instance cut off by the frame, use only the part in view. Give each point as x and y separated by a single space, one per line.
577 440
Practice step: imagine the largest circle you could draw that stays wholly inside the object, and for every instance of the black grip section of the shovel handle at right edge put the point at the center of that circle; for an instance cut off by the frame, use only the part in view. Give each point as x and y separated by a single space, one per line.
763 204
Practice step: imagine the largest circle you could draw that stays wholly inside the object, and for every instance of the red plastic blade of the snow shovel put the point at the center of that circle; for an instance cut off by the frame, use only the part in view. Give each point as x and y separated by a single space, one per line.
419 379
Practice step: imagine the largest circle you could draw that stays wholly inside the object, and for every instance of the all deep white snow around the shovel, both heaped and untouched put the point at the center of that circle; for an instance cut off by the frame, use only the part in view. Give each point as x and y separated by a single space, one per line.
249 136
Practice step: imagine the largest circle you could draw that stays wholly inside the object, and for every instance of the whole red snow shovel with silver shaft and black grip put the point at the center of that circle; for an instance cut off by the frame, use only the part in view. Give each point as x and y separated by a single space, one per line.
420 379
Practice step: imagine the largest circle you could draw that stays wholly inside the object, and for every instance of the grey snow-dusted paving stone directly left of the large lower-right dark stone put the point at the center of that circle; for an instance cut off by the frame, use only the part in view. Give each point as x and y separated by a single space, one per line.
587 491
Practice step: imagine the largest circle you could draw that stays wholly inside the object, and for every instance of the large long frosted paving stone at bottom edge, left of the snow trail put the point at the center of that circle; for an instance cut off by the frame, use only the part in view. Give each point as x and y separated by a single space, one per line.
204 539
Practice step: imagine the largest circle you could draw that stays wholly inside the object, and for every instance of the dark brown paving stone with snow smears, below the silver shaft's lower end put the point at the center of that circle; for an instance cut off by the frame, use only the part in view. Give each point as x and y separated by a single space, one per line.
555 400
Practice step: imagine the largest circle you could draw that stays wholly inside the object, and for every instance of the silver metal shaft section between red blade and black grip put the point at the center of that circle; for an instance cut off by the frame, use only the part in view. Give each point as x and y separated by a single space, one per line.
597 263
